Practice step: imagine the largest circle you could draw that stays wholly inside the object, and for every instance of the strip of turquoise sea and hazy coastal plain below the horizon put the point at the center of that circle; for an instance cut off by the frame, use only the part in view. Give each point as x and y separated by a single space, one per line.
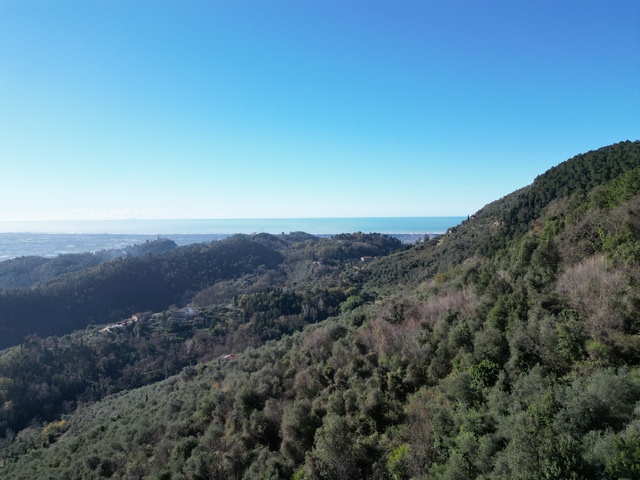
52 238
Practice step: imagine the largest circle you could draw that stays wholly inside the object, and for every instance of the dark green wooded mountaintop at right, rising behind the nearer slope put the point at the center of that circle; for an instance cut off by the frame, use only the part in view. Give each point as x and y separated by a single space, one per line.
503 222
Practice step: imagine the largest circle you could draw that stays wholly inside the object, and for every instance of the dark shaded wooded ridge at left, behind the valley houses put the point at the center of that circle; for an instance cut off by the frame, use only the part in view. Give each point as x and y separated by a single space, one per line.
118 288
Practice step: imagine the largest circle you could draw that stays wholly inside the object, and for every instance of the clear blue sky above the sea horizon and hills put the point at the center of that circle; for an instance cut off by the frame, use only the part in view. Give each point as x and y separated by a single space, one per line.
272 109
